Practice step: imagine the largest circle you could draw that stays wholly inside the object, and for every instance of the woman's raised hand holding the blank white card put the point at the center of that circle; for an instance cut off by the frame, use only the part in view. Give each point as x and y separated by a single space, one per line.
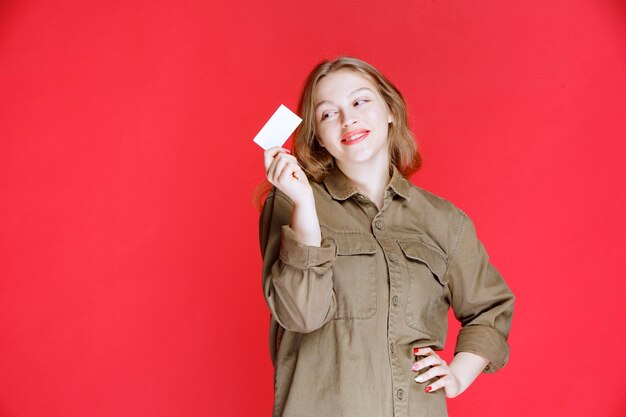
284 173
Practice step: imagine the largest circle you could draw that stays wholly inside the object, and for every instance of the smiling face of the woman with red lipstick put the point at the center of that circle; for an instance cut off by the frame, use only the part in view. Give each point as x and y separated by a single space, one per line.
352 119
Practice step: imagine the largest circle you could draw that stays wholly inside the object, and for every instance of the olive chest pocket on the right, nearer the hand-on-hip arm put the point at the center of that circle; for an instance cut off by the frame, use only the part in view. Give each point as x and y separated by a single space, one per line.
426 303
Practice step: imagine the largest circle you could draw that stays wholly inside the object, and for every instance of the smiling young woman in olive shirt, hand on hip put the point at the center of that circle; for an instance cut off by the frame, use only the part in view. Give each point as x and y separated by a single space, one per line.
360 266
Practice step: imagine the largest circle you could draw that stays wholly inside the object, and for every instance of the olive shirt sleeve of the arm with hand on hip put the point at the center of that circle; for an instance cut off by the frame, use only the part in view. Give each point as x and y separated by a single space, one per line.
481 300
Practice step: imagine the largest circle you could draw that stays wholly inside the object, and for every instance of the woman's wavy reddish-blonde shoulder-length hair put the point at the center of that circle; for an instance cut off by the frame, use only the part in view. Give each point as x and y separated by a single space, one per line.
314 159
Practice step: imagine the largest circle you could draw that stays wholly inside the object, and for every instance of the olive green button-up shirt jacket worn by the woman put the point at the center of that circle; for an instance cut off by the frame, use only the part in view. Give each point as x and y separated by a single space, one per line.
346 316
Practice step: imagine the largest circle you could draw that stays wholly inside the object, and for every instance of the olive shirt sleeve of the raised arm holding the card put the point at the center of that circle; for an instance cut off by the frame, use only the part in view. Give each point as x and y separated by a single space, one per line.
297 279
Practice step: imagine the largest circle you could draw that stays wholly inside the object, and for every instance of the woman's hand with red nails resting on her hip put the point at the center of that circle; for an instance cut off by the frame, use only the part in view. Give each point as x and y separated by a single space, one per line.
438 368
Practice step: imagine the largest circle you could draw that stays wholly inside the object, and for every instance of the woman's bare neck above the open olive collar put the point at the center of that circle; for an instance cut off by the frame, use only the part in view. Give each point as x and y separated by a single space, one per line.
369 179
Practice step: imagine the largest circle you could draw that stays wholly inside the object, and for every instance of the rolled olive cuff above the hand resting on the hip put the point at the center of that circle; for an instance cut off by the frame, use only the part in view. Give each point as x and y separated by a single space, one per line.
486 342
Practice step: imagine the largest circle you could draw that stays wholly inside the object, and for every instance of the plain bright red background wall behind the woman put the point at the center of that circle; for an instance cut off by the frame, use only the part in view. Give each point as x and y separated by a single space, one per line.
129 261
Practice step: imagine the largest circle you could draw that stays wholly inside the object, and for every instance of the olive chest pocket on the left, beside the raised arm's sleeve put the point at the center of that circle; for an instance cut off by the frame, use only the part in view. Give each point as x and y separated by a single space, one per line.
354 276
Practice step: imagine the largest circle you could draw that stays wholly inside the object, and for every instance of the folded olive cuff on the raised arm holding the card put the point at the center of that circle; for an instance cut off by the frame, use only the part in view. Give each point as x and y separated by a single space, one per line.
300 256
